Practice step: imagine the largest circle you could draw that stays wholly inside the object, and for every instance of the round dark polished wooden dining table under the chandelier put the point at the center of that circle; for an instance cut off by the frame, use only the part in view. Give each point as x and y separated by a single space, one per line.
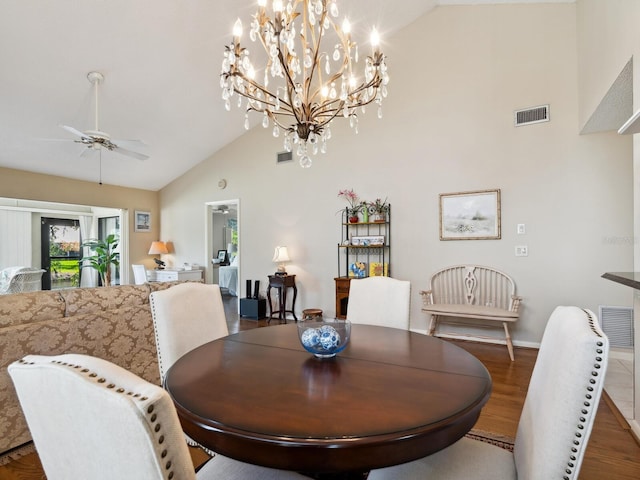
390 397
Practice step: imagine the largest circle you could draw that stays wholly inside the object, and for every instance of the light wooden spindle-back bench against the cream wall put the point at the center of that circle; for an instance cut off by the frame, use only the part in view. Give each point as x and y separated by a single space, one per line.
483 294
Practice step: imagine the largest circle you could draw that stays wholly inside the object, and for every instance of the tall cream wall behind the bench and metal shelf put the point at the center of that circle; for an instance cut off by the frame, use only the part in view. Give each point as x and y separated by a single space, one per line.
457 75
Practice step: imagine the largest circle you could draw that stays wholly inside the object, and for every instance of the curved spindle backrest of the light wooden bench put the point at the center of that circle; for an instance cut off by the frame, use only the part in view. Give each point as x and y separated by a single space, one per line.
473 285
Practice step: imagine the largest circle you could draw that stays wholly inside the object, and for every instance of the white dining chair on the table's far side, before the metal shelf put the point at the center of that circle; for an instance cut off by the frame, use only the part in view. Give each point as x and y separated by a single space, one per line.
381 301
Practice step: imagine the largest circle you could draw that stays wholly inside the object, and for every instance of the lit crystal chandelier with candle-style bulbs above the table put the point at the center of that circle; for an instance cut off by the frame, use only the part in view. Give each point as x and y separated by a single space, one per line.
304 87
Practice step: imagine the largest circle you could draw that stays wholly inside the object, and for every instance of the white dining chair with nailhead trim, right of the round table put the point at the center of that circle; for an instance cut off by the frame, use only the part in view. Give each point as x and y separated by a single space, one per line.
556 420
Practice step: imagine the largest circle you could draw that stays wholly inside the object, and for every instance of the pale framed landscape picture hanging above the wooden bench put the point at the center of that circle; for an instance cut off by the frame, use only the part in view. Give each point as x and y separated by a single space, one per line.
471 215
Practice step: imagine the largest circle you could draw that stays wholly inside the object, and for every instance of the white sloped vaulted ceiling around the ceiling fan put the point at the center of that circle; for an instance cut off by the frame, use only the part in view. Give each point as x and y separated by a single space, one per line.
161 62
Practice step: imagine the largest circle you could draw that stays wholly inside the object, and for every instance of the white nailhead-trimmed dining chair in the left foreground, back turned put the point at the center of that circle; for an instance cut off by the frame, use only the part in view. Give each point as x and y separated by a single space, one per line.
93 420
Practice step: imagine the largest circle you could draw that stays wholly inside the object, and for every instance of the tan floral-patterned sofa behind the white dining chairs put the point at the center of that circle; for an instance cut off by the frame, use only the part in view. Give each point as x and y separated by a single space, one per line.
113 323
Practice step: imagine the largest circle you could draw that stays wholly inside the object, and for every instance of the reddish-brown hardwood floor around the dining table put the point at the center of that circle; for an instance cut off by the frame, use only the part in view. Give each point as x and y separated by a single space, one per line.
612 452
